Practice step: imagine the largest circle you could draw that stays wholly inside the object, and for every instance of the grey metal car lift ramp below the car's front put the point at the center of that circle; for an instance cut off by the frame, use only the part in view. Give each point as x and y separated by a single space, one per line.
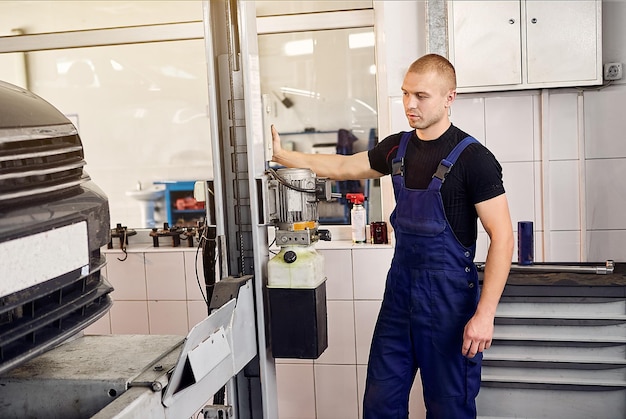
136 376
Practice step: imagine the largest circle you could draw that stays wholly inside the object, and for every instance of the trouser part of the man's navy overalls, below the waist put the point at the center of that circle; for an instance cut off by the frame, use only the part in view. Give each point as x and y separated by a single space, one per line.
413 332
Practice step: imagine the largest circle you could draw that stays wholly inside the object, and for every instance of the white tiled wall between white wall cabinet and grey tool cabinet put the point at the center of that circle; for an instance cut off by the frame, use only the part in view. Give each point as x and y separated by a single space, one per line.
563 162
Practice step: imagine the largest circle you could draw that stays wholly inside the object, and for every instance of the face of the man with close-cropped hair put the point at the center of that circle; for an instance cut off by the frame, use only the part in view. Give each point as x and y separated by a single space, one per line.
426 99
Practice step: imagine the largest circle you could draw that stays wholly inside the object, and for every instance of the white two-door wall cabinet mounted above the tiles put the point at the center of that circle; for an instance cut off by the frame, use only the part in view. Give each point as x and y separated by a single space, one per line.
510 45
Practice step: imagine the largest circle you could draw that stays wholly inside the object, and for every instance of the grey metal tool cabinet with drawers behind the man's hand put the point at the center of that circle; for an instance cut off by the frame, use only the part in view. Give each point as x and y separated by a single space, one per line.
559 348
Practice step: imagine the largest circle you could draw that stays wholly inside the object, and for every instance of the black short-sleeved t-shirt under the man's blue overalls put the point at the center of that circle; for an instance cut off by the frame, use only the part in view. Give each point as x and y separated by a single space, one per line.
474 178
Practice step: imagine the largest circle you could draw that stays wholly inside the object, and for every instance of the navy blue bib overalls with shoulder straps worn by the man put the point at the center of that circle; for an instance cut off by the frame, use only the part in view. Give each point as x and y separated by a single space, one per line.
431 293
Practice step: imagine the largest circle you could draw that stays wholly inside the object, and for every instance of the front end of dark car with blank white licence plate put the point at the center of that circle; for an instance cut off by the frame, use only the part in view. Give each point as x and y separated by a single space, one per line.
53 222
